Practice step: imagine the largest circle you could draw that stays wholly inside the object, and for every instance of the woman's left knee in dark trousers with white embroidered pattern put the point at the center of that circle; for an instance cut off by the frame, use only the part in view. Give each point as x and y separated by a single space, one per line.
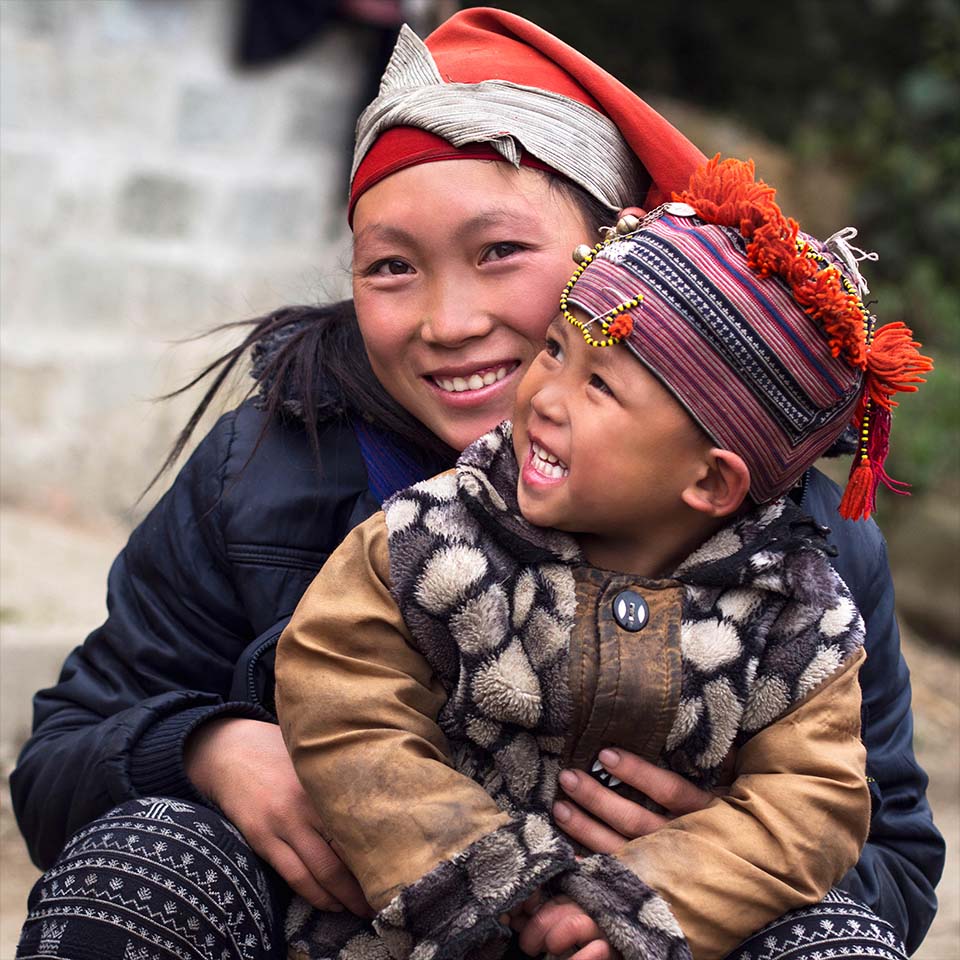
154 879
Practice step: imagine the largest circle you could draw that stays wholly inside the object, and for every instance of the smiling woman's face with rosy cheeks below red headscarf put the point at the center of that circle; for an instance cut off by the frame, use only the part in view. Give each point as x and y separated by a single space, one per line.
457 271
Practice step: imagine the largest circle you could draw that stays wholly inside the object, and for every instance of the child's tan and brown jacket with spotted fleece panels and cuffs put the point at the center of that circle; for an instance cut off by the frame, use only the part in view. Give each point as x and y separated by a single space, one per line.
450 659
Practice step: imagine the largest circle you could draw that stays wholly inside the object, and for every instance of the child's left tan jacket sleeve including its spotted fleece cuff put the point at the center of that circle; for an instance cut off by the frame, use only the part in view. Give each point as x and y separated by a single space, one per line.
358 706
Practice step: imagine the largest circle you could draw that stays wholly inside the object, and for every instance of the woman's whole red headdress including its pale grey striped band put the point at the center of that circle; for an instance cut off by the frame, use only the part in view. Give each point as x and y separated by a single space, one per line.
488 84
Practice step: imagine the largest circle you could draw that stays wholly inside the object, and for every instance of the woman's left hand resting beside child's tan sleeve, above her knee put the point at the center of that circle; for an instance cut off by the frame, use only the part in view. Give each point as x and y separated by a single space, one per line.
243 766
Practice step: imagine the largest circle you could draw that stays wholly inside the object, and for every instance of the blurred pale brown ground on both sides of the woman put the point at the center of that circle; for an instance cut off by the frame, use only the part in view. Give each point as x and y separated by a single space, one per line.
56 570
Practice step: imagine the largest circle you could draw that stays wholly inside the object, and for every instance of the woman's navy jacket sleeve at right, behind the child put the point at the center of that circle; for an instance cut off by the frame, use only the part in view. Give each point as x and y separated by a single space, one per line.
904 854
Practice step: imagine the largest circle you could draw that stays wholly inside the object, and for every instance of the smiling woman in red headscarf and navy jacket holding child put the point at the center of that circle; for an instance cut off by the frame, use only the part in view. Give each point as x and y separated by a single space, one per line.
166 709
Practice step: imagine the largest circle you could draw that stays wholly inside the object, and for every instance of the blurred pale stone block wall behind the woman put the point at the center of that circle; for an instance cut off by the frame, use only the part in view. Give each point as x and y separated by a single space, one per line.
149 191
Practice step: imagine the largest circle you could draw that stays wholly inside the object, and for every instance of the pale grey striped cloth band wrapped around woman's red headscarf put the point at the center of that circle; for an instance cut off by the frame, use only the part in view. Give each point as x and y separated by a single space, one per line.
510 117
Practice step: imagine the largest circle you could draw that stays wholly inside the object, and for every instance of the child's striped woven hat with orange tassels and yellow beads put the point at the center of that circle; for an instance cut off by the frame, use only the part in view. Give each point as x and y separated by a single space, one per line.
757 329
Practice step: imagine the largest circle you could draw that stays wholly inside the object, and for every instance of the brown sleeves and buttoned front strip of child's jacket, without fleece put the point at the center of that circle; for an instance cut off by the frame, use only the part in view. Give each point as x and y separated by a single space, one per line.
358 706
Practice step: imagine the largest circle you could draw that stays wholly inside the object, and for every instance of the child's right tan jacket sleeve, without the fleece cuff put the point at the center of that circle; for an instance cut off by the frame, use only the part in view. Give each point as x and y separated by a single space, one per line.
793 822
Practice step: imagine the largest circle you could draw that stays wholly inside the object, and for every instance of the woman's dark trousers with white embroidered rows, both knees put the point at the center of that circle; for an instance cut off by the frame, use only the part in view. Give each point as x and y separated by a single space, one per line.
162 879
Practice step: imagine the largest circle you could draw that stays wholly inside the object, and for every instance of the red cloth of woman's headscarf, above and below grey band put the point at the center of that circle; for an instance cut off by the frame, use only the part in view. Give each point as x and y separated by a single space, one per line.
486 44
